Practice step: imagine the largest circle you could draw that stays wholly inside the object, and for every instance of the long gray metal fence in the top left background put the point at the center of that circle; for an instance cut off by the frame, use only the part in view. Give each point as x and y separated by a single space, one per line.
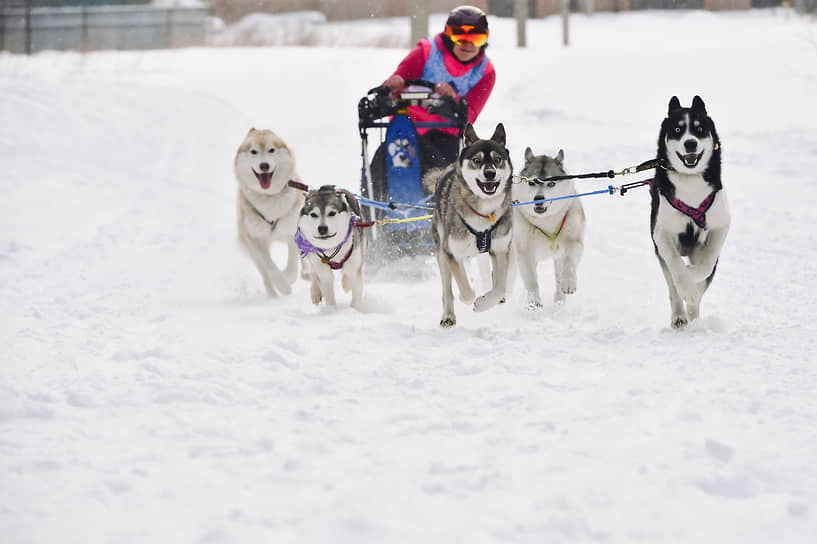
28 26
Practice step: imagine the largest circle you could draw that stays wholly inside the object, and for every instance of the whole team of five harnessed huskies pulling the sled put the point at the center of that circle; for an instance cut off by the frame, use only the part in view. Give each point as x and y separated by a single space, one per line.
689 218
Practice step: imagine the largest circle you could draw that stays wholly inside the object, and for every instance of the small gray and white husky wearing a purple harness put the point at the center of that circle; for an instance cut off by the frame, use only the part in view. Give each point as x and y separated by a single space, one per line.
329 239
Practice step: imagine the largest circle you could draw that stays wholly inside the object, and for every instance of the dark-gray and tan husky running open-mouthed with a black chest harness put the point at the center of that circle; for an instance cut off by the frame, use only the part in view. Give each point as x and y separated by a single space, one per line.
472 216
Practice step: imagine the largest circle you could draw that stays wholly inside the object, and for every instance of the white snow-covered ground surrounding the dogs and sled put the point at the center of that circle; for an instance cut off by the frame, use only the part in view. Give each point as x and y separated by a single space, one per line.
150 392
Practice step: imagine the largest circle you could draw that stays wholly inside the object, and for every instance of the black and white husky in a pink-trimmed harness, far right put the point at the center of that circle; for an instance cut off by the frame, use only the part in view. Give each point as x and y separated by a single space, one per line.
689 211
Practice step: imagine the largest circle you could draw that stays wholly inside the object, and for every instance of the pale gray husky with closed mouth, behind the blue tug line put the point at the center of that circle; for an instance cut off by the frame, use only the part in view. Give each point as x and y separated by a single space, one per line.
547 229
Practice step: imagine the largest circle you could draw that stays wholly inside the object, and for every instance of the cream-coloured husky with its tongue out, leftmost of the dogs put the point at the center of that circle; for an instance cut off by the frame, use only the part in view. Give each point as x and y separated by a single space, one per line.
269 201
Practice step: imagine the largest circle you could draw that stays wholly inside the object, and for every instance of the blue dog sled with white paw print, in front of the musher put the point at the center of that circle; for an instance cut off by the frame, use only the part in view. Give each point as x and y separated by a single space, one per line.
394 198
